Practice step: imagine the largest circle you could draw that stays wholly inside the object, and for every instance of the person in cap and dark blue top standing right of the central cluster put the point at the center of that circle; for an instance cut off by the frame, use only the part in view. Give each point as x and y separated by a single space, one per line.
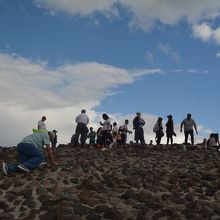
138 124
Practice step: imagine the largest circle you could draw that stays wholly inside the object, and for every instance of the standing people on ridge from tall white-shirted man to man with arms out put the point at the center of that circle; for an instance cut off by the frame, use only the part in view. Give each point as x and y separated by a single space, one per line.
109 133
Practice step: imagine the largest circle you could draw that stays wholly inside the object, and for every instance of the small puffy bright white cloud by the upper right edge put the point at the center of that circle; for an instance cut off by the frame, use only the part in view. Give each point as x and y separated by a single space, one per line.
206 33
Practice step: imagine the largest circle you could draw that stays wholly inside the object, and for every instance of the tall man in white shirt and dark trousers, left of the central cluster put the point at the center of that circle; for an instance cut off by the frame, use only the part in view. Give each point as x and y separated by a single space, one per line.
82 121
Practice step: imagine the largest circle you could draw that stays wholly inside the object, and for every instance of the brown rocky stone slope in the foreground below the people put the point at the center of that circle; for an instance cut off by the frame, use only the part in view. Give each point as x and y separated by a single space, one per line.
126 182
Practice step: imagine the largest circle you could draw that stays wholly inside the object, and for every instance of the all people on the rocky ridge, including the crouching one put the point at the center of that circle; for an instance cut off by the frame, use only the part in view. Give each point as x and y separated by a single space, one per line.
30 149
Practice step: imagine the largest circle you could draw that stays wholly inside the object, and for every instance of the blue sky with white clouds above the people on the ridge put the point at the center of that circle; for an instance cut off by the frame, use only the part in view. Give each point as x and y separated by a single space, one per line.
113 56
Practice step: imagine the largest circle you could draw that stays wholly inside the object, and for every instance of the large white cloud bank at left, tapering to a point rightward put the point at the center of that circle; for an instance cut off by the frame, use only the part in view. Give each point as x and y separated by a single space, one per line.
29 89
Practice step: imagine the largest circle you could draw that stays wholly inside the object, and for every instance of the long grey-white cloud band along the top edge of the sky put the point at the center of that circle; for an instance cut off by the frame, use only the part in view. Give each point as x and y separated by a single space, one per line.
143 14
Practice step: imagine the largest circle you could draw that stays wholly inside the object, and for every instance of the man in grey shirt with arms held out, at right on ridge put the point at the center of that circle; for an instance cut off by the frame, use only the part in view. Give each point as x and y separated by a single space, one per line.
188 124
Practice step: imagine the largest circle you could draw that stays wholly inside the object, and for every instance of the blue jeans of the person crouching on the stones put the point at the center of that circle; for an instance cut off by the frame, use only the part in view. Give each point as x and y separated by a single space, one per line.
28 155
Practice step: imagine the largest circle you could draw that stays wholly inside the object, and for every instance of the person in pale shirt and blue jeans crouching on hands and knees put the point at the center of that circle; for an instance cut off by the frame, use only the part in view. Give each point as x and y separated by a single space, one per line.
30 153
